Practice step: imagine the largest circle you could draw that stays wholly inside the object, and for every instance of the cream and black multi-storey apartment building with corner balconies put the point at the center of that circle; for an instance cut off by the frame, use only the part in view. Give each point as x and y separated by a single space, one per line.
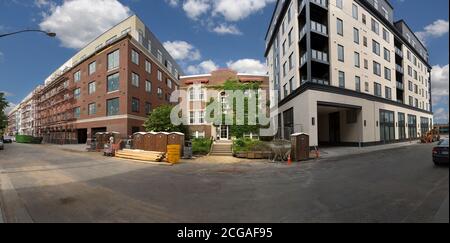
346 73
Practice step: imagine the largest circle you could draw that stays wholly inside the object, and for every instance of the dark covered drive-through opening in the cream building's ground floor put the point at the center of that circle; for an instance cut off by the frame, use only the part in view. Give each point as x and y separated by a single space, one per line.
339 124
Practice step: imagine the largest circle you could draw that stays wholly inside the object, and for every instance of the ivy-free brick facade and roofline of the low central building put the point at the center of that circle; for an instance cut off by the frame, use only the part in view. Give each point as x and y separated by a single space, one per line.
200 89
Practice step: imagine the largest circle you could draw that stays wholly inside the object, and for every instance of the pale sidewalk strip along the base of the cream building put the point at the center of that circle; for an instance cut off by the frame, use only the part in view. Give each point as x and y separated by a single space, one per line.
331 152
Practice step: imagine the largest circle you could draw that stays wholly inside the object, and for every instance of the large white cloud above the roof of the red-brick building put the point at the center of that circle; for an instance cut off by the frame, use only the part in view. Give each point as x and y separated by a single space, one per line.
77 22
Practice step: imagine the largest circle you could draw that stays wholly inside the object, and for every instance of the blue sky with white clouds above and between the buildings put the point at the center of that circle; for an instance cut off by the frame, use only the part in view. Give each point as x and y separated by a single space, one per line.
201 34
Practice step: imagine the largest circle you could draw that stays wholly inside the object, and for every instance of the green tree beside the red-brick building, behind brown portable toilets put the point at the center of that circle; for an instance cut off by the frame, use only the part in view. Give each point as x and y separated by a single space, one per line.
159 121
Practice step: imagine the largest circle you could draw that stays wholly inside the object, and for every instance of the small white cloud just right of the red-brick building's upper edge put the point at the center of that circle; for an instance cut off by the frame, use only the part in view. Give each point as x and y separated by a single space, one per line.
181 50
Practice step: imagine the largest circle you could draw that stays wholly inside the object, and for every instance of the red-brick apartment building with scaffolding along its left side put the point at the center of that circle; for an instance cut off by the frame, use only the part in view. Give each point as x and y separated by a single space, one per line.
111 85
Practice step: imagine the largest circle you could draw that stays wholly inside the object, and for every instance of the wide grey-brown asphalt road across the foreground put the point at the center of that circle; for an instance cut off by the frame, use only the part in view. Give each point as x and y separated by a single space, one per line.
45 184
